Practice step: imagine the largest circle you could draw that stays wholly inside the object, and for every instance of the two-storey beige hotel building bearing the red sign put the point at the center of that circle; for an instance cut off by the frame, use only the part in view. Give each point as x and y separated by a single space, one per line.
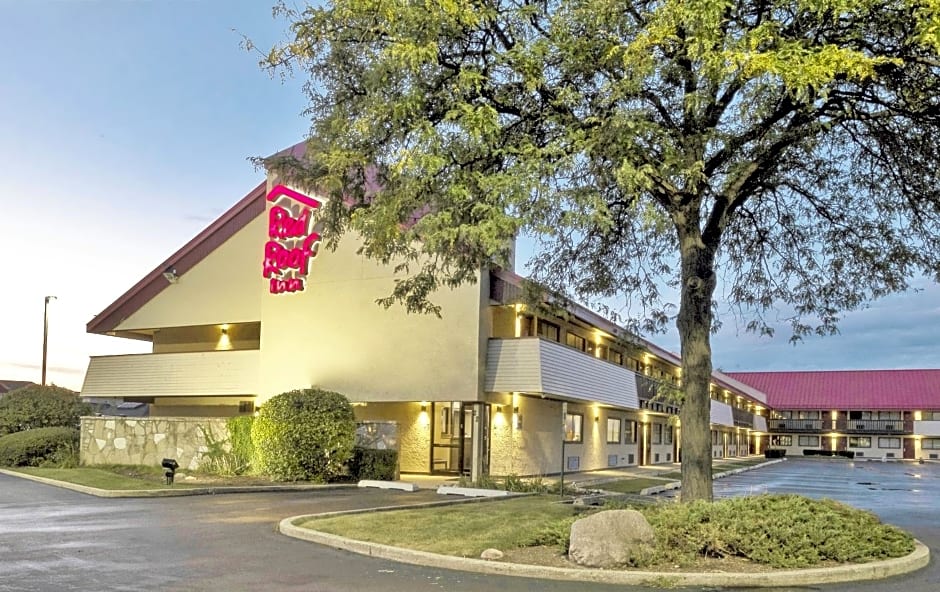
251 307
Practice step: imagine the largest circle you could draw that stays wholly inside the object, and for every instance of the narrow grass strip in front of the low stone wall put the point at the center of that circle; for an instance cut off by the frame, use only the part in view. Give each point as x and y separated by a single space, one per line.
133 477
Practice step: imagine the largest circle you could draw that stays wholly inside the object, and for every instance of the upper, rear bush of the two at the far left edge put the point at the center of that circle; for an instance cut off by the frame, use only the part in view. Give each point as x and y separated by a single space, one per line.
40 406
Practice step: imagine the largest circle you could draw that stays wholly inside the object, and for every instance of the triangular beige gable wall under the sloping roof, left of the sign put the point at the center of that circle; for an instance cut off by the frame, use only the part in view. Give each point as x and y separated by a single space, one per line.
225 287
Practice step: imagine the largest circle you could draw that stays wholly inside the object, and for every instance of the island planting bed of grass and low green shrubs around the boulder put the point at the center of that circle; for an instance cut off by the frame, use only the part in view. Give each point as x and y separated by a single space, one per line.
740 534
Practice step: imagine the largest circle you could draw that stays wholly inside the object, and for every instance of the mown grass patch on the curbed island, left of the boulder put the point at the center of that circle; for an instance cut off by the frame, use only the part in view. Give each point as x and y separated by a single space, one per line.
464 530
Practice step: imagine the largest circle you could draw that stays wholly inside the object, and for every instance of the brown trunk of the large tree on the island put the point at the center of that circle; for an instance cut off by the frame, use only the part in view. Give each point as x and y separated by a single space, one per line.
694 323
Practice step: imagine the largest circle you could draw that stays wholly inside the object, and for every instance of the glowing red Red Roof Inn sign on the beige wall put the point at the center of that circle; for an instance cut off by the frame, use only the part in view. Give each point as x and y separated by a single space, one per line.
292 243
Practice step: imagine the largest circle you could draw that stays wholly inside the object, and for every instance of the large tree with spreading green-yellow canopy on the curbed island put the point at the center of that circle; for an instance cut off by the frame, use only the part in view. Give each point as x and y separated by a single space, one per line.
788 148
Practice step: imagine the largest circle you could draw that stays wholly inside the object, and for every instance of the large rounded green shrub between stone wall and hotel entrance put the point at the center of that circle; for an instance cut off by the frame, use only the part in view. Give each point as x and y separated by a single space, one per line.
304 435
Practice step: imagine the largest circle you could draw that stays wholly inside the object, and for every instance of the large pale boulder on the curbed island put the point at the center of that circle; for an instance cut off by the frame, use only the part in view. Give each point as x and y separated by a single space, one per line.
609 539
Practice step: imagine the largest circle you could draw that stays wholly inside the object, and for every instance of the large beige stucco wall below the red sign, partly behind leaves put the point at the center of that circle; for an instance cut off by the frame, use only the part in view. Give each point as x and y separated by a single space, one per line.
333 335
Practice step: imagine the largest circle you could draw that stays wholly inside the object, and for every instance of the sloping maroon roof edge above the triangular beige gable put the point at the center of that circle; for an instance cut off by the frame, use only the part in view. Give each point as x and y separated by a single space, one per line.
236 218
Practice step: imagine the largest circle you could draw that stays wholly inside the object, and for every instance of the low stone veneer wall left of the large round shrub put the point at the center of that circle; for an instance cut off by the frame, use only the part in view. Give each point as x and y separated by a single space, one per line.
147 441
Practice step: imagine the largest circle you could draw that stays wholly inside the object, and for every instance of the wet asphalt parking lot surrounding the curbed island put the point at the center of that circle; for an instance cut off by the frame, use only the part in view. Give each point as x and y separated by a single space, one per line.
58 540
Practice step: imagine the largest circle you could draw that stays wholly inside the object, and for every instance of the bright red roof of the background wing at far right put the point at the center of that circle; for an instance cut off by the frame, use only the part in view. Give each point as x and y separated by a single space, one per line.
848 389
